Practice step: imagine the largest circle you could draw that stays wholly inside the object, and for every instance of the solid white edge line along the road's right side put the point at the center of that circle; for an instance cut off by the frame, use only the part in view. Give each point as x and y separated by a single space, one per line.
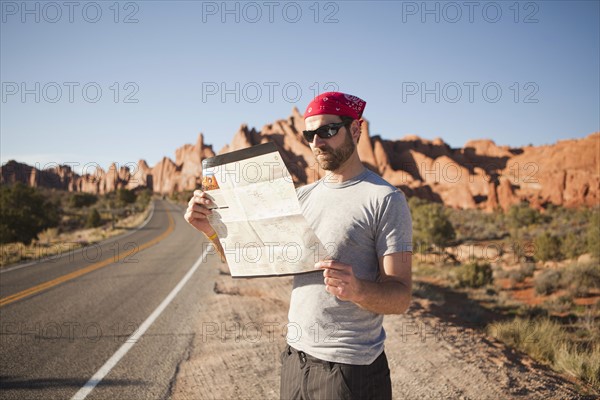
109 365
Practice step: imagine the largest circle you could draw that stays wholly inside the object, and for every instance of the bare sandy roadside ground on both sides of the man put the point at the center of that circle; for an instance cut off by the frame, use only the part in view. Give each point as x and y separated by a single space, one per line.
235 353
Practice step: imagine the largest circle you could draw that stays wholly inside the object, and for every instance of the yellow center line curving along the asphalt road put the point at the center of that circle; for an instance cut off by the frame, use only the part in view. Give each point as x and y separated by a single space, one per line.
80 272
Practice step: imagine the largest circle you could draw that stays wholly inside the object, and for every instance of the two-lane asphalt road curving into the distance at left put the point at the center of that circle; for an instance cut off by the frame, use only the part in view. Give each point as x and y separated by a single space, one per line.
62 319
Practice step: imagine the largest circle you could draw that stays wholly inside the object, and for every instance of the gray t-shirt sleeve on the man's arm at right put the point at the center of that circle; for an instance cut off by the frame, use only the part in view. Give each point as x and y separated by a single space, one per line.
393 225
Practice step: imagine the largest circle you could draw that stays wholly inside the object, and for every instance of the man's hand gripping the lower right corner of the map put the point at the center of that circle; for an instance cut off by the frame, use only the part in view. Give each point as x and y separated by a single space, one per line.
340 280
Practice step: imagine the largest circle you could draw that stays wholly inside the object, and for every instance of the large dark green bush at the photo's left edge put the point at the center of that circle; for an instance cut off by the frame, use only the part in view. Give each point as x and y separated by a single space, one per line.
24 212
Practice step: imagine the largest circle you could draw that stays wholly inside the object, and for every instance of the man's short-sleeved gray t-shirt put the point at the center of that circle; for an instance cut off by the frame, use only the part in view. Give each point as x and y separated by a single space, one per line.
358 221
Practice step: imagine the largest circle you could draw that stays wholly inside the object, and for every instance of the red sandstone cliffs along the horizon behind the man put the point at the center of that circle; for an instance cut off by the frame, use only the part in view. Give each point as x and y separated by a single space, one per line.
480 175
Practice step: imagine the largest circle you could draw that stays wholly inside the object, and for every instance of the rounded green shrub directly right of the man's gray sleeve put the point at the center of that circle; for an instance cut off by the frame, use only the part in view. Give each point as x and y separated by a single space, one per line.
431 225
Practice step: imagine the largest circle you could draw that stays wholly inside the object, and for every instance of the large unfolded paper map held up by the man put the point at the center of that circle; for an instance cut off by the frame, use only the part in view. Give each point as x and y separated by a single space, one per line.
257 214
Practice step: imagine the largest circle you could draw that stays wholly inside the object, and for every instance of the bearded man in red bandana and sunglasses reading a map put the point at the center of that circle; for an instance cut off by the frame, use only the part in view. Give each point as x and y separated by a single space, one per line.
336 347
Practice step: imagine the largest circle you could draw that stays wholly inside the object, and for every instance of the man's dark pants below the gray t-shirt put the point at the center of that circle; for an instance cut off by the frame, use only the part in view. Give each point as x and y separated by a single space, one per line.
309 378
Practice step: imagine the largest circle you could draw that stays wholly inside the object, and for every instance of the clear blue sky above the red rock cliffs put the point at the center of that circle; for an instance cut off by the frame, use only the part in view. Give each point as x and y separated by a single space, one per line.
174 58
